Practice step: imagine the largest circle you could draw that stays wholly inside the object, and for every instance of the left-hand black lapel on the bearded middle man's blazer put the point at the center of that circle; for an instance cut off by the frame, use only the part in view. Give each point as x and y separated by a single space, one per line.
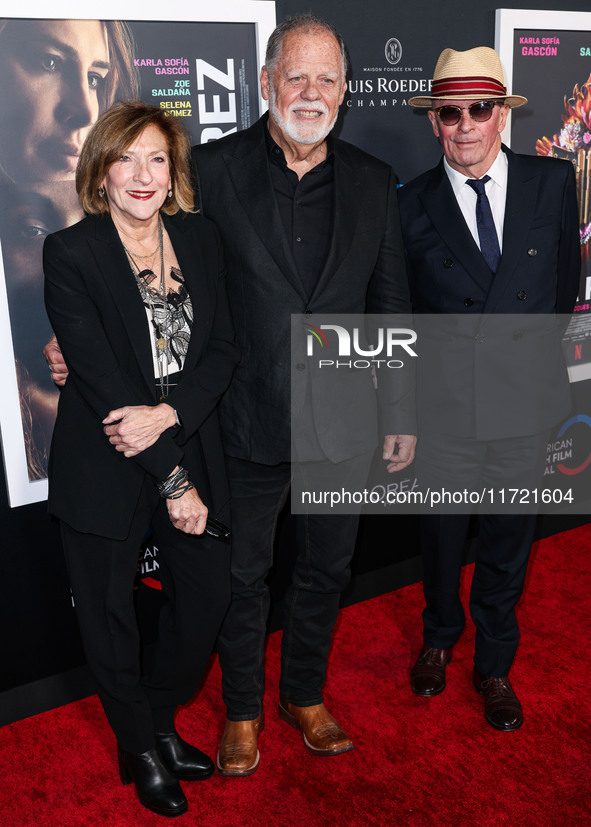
248 168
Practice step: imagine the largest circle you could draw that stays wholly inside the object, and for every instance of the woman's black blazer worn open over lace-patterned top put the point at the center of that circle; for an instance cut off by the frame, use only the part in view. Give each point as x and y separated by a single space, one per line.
97 313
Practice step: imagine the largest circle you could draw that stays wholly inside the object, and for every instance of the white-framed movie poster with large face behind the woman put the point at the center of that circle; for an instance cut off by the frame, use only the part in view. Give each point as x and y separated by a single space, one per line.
58 76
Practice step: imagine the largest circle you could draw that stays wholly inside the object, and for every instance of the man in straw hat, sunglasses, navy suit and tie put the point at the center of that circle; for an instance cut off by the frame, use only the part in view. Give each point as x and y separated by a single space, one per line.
486 232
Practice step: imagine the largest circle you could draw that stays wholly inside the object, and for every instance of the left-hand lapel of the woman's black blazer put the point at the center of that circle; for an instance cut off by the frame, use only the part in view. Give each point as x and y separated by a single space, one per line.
112 262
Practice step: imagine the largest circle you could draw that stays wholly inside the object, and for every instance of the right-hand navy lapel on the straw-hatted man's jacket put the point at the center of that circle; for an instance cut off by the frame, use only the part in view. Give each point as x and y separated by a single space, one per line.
522 190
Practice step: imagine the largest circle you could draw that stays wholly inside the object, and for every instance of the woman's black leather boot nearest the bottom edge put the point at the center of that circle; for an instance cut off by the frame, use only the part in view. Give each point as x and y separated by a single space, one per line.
156 789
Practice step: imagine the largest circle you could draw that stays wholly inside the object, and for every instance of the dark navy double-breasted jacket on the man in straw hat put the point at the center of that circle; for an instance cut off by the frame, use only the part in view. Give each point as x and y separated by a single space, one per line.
498 378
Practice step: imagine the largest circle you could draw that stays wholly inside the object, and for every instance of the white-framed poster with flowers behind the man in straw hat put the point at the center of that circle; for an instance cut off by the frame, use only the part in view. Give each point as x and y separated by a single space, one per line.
547 57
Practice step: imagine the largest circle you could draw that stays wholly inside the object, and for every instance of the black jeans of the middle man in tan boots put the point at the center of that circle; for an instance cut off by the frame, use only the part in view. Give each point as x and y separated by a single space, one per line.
325 545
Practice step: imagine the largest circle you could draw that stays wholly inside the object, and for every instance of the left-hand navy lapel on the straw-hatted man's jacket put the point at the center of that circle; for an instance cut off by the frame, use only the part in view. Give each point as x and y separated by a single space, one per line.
442 207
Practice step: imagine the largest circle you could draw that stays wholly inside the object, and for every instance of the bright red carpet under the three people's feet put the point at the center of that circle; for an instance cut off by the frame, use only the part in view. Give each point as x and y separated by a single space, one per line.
416 762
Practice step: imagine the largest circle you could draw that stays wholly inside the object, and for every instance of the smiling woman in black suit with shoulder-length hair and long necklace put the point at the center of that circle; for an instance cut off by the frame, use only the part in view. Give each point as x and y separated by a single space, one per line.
135 293
